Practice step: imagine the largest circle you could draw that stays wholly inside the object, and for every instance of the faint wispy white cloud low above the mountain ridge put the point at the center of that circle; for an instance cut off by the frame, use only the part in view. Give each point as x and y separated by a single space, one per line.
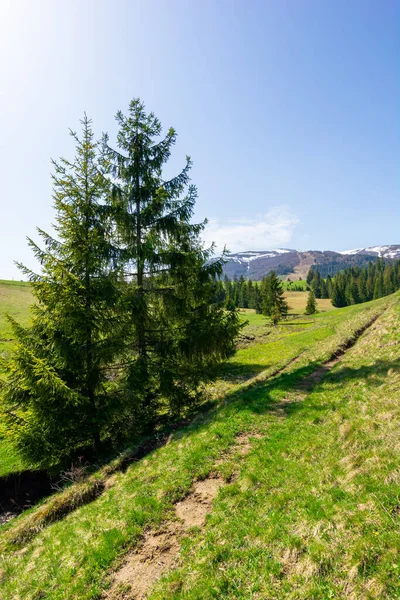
273 229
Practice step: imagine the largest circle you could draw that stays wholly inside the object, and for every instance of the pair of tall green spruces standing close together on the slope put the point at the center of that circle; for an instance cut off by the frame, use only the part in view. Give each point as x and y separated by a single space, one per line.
127 323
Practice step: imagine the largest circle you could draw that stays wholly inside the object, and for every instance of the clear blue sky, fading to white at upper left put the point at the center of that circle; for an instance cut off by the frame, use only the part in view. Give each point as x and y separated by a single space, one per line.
288 108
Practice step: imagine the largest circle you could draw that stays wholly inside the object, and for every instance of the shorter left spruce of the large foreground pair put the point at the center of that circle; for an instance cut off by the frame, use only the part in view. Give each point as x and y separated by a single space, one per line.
56 395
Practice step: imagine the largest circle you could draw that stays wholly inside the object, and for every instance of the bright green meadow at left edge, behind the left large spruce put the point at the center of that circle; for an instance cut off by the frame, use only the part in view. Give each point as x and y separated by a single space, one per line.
15 299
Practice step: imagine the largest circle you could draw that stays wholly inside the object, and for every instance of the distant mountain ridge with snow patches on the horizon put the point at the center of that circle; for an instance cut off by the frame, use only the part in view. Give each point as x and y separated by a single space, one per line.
295 264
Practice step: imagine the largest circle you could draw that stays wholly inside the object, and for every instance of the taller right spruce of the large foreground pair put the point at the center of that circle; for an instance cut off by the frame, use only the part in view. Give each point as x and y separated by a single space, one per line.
175 333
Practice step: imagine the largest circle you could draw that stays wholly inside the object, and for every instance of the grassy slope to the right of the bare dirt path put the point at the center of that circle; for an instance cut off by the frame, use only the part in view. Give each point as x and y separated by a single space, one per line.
315 511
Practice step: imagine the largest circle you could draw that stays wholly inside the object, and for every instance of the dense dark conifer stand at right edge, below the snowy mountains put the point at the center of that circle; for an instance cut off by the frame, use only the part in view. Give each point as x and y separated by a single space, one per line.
355 285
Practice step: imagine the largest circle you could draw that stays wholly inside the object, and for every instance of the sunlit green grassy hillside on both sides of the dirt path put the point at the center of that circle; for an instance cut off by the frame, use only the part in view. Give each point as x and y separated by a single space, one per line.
312 512
